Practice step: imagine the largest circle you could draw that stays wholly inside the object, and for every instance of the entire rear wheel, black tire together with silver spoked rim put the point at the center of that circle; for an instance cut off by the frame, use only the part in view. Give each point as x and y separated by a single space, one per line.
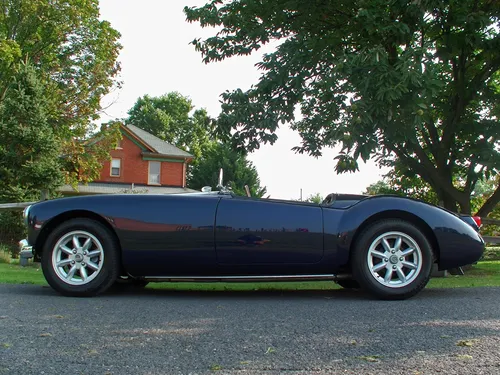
403 281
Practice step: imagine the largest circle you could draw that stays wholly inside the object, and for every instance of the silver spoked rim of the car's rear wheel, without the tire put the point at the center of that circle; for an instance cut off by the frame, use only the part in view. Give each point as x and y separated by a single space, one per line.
394 259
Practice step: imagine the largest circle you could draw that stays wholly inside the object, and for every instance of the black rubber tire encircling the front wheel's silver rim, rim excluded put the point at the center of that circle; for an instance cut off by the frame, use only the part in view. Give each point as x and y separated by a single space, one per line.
109 271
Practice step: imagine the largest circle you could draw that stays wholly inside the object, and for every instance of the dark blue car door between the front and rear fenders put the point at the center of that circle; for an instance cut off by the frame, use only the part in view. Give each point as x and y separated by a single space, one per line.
263 231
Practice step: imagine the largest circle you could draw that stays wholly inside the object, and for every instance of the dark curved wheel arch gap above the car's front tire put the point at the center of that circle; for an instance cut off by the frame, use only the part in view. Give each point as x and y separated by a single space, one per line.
53 223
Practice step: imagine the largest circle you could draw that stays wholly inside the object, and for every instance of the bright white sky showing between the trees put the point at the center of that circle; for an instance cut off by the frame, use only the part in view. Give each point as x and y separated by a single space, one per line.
157 58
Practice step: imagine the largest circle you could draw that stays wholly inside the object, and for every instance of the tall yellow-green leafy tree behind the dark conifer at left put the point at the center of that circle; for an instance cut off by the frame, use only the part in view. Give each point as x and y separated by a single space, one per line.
74 57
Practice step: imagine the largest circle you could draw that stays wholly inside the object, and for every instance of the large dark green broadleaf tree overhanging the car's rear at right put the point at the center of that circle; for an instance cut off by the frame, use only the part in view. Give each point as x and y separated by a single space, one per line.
414 84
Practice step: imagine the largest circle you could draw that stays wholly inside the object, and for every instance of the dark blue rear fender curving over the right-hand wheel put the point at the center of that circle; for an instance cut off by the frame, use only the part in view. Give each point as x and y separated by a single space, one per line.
459 244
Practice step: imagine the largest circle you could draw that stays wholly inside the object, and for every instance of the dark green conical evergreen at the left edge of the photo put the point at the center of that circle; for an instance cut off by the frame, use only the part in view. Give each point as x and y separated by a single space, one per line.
29 150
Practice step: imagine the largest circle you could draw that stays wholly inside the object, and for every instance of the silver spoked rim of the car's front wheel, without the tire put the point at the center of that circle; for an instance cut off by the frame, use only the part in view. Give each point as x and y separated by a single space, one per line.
77 258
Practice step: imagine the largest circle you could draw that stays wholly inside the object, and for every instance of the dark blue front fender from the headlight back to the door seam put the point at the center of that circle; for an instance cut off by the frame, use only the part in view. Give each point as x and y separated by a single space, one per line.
159 234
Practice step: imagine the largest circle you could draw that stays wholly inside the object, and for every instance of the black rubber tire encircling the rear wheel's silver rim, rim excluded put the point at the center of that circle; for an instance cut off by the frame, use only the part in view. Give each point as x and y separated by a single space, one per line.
361 269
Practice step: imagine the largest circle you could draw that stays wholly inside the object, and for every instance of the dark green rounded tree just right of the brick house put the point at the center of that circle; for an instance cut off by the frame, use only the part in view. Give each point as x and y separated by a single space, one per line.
238 171
